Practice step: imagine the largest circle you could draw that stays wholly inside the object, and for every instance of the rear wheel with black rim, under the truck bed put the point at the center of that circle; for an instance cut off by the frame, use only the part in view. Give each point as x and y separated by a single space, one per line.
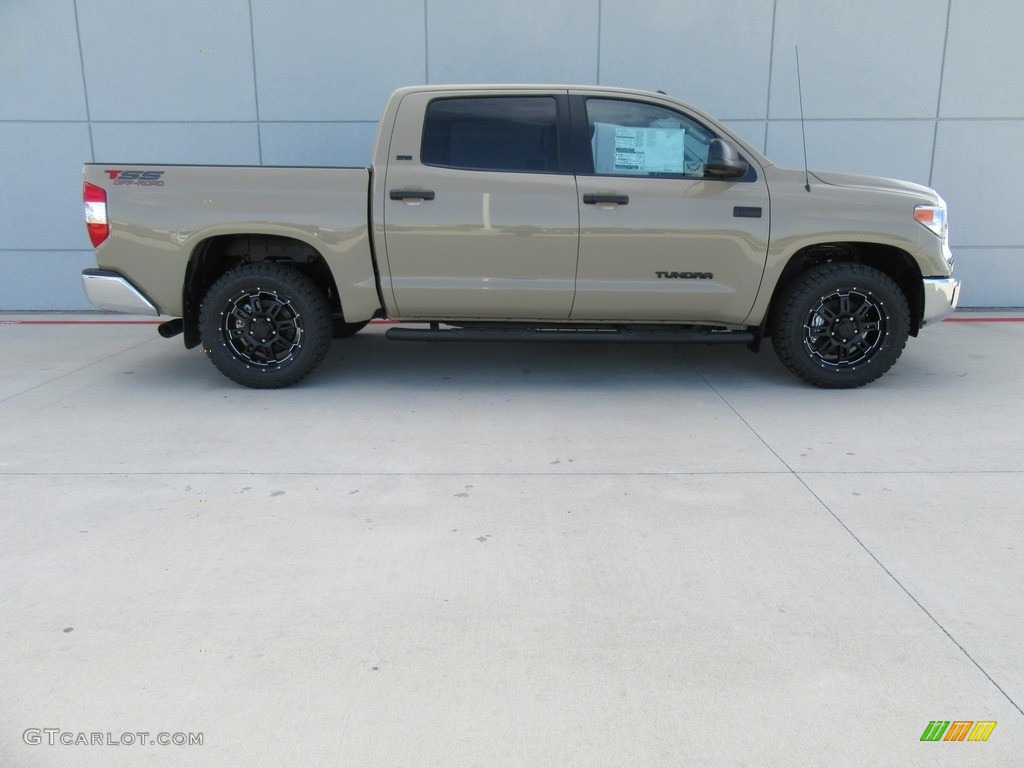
266 326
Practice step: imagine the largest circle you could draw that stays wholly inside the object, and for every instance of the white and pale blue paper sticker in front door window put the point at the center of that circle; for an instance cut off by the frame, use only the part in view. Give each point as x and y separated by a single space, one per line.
638 151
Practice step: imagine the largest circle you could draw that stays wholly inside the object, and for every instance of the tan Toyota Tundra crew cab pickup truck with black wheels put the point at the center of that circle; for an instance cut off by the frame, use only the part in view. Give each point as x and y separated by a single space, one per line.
526 214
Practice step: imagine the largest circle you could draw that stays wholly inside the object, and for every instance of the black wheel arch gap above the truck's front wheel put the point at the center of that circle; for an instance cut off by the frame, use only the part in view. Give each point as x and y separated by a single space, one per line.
891 262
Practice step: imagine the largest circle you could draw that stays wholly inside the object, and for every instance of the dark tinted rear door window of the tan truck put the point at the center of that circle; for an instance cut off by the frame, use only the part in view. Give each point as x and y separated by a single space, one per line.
492 134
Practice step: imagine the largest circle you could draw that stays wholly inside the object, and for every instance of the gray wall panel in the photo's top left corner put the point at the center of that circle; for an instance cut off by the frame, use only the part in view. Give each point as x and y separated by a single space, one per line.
41 69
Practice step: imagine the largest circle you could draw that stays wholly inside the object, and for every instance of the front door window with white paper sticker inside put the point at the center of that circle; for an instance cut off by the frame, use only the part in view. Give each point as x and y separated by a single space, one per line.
632 139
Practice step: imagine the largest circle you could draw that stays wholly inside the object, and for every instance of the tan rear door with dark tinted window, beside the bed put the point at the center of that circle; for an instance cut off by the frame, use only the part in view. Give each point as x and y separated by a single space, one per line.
481 214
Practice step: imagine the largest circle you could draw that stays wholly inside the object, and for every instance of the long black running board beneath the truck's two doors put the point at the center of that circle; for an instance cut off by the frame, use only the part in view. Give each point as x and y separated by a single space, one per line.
532 334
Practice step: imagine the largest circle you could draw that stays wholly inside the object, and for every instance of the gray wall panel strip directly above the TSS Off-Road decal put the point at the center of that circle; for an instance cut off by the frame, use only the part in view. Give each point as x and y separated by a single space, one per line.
198 144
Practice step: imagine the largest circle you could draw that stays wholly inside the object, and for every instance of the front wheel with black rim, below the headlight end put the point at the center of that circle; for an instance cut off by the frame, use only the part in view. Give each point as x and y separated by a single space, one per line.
841 326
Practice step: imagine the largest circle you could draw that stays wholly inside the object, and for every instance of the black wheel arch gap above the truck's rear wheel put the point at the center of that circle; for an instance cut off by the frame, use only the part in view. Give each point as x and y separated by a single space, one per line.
216 255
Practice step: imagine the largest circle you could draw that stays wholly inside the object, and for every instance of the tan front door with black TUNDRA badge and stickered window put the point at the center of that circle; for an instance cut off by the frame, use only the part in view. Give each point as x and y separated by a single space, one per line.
660 240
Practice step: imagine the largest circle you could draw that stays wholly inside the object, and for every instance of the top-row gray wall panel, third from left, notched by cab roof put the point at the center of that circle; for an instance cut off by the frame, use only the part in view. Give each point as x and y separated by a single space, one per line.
336 62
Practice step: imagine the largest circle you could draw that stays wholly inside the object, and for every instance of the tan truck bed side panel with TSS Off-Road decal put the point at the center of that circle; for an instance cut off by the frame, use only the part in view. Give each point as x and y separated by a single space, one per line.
161 215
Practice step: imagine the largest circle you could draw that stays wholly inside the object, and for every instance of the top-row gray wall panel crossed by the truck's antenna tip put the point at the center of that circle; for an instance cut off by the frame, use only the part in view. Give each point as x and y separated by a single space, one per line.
872 59
